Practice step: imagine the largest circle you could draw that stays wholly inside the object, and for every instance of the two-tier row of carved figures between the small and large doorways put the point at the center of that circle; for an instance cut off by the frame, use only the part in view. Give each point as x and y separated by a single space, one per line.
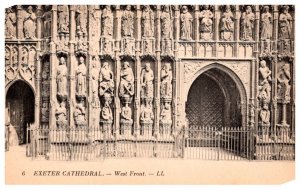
103 86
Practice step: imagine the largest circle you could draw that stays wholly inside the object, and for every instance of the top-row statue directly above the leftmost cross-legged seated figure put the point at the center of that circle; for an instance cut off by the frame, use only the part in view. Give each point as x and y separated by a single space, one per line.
107 21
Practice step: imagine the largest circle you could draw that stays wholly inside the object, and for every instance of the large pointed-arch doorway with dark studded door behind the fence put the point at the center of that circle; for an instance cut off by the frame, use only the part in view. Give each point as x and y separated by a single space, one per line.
214 100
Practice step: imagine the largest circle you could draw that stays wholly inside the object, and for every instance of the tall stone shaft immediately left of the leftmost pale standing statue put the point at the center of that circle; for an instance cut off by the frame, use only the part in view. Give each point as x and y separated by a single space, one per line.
53 66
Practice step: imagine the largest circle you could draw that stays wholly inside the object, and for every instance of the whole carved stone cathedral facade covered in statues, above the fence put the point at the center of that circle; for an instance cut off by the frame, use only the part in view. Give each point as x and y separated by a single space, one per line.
131 67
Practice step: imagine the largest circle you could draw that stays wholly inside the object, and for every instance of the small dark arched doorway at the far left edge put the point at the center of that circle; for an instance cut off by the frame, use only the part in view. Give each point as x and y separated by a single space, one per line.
20 108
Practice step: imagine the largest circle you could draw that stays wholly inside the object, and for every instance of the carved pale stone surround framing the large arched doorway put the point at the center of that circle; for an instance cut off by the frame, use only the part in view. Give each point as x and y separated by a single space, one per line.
192 70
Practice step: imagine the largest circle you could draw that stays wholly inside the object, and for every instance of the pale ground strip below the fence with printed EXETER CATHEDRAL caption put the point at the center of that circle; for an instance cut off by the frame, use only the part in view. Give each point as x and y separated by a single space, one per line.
23 170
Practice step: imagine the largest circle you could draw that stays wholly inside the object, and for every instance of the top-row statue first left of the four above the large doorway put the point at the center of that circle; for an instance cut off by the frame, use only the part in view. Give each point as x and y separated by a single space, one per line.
166 22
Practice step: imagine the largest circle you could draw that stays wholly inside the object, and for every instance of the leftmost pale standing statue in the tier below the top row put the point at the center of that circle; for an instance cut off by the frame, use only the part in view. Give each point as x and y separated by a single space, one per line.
61 77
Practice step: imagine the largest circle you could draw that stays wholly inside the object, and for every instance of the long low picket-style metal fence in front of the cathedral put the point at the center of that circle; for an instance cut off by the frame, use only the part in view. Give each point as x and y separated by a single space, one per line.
196 142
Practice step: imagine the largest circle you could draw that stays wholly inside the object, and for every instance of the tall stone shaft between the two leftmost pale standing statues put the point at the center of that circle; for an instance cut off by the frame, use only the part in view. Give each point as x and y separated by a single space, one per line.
71 64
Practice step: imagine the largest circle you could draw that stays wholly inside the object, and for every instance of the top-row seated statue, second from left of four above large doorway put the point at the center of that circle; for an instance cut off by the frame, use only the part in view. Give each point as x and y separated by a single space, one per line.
206 23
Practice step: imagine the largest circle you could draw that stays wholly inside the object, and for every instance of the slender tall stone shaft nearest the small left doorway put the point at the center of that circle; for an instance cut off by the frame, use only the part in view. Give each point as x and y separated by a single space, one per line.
38 67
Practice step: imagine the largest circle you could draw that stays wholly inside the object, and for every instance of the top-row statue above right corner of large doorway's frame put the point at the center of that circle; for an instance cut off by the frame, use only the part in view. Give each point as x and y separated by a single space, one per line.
247 24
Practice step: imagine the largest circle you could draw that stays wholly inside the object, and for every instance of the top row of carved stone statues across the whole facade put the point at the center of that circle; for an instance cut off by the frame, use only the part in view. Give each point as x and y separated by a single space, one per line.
227 22
